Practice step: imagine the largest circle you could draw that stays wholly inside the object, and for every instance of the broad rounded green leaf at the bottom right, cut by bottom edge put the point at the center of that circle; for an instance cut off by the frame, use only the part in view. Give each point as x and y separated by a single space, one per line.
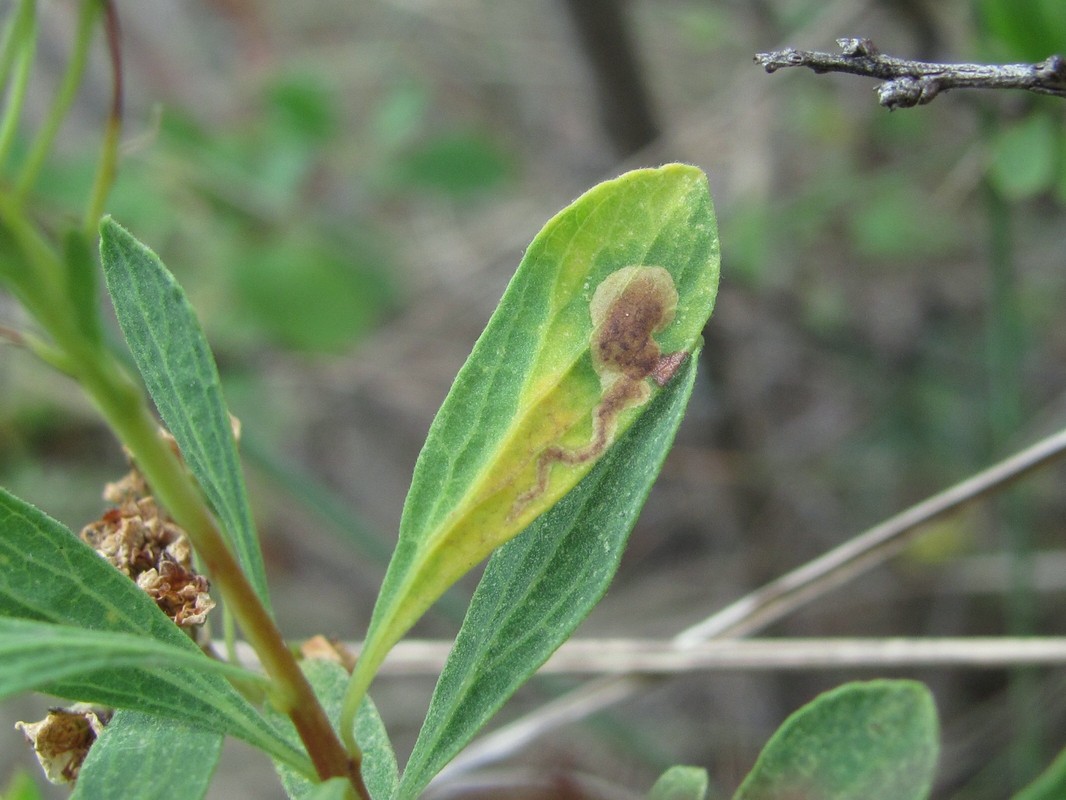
875 741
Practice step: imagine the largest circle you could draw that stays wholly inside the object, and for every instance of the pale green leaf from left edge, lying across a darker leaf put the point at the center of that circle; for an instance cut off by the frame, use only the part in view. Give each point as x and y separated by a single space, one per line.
35 655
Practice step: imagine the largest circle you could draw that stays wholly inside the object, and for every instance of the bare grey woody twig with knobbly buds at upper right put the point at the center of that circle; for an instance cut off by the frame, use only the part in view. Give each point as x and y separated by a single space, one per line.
910 84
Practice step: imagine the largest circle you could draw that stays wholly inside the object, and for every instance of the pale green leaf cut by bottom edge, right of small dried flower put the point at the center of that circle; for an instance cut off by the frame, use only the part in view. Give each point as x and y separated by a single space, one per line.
143 758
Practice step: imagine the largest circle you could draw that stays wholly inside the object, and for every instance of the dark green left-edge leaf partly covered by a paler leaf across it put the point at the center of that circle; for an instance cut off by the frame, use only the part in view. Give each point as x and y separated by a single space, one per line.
47 574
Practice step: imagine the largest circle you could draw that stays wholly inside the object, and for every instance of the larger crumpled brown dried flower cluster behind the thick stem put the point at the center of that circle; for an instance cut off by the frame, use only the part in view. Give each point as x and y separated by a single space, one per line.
146 545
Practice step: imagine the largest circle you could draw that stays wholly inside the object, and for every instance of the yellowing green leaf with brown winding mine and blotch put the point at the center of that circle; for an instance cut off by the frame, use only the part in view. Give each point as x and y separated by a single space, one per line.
605 308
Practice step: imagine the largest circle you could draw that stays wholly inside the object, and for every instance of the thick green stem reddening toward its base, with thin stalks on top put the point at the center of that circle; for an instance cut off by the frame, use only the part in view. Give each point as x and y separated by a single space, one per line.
42 283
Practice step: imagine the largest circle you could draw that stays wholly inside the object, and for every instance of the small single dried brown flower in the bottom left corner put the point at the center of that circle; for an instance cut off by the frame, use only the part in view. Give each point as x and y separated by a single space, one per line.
62 740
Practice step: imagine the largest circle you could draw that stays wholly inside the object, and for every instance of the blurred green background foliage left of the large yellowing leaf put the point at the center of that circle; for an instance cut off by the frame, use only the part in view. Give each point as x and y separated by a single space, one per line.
278 238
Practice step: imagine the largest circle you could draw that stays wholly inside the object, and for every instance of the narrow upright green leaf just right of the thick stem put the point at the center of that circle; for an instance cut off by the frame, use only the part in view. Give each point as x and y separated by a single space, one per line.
174 360
